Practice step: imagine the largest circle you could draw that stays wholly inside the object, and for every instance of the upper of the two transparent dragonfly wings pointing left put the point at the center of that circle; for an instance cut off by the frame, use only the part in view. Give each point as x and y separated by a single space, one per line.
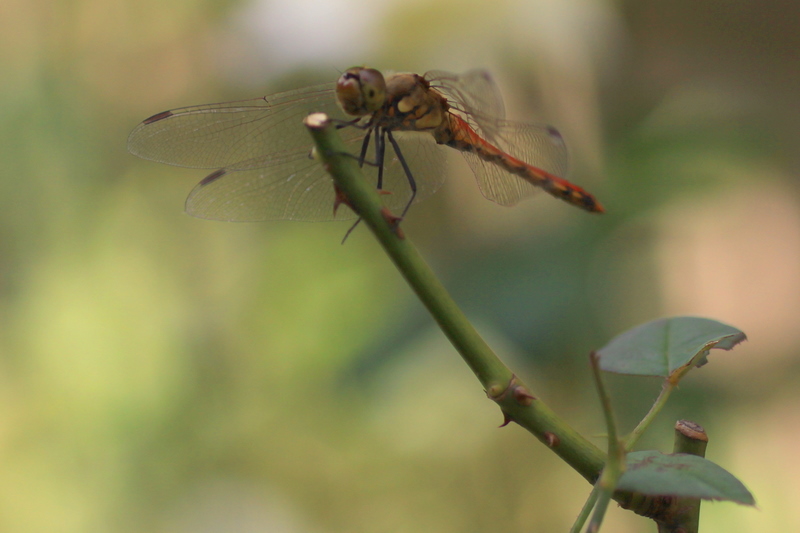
232 134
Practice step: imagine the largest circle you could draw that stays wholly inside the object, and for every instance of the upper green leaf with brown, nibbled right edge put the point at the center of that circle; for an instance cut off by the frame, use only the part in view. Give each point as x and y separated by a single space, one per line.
667 346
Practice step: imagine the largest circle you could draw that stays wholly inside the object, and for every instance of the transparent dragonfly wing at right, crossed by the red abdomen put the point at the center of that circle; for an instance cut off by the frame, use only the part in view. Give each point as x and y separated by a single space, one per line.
538 145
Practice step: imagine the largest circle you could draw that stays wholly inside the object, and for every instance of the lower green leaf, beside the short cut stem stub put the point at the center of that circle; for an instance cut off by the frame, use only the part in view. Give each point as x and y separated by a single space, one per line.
654 473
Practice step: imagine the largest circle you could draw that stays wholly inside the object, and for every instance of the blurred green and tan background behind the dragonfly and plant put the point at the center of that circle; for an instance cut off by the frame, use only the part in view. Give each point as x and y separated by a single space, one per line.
160 373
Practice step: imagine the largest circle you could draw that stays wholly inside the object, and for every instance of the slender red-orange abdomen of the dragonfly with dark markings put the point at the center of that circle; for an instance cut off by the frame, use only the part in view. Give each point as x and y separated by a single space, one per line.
459 135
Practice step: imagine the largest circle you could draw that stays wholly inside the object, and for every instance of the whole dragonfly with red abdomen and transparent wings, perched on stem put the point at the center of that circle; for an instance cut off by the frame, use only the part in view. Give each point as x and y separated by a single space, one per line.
399 126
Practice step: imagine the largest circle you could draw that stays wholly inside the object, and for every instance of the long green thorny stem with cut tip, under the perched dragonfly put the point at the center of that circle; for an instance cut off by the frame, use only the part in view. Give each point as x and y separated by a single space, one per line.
501 385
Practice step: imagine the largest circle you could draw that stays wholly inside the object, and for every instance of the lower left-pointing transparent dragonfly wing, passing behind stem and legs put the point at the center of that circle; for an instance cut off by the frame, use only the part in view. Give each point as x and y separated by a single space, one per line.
292 186
